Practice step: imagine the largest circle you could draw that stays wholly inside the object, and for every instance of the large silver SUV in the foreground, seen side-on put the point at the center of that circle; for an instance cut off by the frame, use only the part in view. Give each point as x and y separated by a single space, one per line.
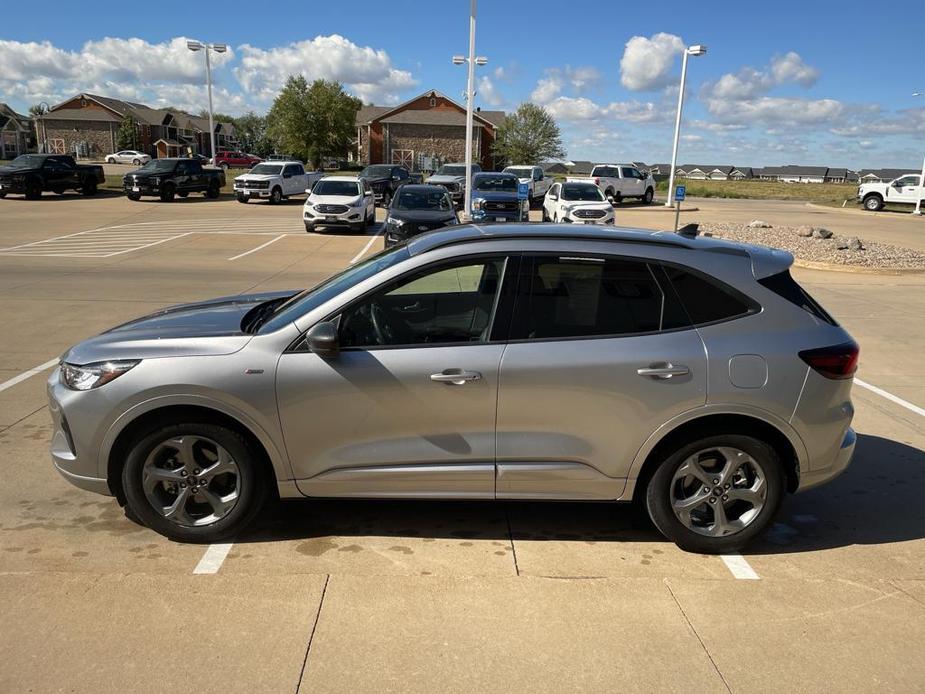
691 375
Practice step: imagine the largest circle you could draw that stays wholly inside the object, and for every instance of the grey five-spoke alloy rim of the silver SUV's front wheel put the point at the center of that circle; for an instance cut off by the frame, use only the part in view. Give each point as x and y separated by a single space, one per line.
191 480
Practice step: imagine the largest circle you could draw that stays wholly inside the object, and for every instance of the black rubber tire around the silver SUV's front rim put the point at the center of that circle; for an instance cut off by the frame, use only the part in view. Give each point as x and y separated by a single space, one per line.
252 484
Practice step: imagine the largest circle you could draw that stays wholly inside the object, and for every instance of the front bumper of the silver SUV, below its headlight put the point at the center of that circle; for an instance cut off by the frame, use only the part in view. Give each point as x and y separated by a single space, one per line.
76 465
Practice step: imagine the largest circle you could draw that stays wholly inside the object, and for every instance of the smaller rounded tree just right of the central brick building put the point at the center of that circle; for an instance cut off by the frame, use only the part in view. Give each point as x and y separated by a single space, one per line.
530 135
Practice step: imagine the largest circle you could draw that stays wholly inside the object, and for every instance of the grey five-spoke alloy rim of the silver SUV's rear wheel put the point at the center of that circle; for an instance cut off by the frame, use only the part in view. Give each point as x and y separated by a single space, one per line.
718 491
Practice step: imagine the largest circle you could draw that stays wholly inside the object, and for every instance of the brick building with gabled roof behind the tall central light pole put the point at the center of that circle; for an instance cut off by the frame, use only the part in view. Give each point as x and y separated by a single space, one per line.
424 132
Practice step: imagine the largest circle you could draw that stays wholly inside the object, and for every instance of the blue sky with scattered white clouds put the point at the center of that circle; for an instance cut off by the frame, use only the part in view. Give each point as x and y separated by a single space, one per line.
783 82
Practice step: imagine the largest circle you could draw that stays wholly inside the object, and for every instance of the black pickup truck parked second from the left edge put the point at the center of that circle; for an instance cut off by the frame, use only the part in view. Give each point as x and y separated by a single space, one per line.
167 178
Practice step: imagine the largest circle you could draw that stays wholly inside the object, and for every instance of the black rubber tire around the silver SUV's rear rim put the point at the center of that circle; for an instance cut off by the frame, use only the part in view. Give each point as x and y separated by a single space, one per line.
658 495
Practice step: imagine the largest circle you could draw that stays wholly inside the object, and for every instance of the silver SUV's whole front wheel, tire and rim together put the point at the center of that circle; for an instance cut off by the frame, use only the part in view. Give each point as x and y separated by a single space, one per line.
194 482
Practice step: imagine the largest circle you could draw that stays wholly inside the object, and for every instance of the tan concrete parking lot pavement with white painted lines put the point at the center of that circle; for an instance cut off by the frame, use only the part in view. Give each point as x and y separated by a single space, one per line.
419 596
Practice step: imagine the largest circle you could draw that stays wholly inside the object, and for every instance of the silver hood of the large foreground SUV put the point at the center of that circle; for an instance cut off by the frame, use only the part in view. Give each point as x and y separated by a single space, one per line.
204 328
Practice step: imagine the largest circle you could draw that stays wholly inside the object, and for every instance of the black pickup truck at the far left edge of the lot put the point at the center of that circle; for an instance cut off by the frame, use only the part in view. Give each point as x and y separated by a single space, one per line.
32 174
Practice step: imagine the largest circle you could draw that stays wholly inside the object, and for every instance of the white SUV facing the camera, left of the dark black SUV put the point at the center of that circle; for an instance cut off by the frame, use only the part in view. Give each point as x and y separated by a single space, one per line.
340 201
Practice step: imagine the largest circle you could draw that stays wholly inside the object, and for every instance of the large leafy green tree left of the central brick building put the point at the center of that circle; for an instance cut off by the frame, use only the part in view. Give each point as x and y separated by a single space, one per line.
313 121
